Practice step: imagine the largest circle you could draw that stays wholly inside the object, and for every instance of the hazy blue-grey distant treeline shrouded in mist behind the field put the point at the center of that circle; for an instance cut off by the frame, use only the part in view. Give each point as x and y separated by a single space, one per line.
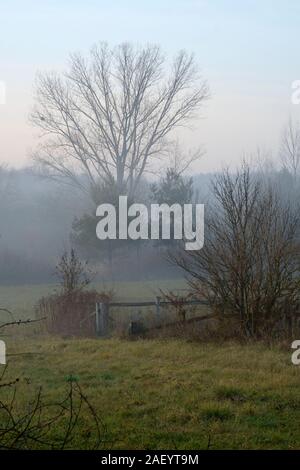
40 218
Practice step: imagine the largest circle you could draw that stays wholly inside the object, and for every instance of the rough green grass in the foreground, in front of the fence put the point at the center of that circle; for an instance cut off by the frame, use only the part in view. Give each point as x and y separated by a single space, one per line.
171 394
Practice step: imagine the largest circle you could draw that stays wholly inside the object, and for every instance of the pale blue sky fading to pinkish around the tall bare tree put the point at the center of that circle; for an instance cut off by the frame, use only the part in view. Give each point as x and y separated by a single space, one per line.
248 51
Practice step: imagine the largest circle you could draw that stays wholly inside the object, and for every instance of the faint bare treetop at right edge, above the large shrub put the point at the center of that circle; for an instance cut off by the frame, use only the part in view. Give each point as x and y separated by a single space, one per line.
290 148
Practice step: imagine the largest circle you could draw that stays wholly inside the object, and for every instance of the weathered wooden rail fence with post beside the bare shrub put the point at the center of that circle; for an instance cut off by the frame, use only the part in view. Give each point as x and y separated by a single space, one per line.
102 312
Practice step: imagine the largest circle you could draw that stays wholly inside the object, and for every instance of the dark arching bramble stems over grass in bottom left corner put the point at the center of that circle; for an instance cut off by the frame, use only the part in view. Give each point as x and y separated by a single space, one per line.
49 425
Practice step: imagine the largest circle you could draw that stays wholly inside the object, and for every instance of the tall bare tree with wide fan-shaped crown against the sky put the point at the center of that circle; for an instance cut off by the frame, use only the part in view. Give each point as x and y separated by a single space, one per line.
109 115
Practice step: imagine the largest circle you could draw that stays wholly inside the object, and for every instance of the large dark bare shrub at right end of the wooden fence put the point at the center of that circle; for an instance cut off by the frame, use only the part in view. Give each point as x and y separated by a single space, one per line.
248 269
